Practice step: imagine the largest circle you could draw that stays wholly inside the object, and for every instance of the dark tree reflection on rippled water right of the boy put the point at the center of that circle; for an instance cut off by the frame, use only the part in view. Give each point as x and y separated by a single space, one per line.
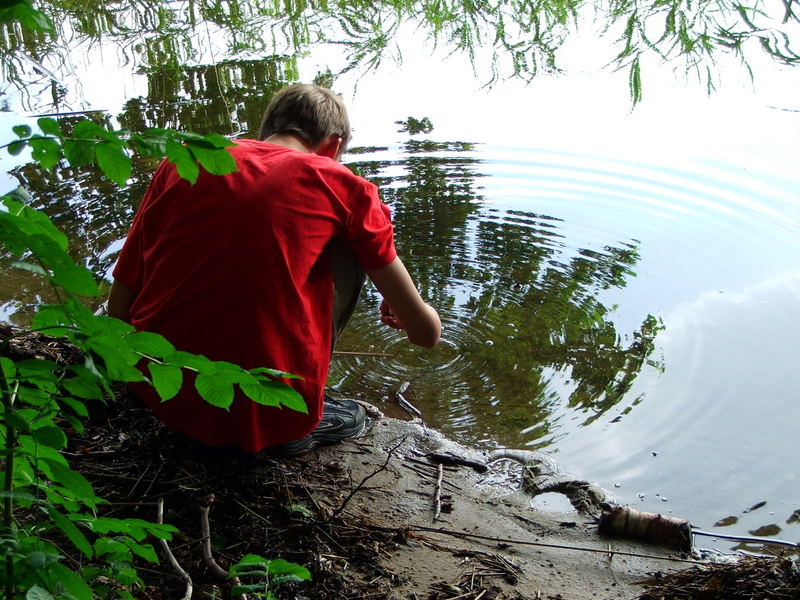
527 336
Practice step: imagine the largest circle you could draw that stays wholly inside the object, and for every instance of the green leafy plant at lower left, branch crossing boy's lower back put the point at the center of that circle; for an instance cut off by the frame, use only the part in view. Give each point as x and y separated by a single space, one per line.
55 503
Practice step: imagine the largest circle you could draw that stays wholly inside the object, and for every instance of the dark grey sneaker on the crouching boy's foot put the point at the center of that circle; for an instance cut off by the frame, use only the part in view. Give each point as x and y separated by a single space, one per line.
341 420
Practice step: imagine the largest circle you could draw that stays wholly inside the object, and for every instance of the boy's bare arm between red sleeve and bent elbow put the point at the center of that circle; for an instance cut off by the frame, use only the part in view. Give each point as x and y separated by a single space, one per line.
406 309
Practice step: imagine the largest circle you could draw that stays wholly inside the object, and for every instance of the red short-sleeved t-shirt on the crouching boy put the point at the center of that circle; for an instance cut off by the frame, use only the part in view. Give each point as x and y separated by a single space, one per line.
233 268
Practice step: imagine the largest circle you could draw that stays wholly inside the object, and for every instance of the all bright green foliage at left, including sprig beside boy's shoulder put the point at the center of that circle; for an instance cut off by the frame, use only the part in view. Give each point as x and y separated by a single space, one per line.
50 510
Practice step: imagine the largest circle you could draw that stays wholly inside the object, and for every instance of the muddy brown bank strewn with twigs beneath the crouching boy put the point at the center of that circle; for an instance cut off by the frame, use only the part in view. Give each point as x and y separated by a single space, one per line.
361 516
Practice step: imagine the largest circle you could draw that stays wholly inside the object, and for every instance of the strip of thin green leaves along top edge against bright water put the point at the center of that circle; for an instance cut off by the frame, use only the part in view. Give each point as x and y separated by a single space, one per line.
520 38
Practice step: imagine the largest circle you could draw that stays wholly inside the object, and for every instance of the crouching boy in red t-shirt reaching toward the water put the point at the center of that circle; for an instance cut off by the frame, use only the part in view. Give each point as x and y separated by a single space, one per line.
262 268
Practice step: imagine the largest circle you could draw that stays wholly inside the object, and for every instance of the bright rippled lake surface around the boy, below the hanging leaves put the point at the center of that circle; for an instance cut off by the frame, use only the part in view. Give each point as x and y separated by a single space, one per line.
626 302
